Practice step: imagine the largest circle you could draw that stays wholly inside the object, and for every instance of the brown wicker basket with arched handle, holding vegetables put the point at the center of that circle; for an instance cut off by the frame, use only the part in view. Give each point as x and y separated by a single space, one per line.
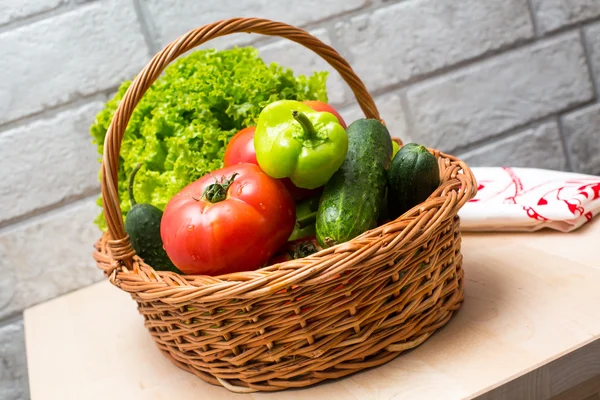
343 309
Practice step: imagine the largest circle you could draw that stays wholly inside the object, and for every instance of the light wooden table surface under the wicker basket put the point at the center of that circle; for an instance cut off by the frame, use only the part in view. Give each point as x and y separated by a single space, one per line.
532 300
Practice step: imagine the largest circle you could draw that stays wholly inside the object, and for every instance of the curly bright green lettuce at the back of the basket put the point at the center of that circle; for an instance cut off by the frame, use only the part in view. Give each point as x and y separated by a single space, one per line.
181 126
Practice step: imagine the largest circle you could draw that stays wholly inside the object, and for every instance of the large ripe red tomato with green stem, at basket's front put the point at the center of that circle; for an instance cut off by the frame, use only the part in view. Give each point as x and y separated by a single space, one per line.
233 219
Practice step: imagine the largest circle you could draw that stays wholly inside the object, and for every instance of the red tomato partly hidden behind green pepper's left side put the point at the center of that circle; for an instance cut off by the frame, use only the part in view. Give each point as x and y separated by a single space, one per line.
240 149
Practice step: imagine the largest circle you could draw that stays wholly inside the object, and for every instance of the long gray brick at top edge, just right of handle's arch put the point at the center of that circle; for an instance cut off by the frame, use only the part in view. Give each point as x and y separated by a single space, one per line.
406 40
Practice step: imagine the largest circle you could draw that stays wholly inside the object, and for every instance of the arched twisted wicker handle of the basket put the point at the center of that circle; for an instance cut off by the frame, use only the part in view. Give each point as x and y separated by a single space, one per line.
119 243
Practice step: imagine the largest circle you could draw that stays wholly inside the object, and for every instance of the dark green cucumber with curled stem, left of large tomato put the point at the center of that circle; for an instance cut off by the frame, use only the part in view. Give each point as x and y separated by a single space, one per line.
143 228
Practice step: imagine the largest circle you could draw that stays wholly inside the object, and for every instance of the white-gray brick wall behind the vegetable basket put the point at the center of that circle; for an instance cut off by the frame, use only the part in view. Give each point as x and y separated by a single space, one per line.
496 82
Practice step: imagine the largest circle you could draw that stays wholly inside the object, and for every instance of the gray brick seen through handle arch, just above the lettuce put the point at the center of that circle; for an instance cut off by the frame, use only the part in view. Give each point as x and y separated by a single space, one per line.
304 61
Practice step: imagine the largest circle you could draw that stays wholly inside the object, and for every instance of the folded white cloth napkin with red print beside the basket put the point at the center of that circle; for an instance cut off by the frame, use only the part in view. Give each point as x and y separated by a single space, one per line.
529 199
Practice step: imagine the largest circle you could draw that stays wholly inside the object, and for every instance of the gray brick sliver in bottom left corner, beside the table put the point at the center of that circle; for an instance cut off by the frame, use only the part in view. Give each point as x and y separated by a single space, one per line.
14 384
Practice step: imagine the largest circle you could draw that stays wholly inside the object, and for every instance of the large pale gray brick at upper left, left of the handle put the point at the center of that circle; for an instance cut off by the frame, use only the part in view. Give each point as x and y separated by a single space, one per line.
49 62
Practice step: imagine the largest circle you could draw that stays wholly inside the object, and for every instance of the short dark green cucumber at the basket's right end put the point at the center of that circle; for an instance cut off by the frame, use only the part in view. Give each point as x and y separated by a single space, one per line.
414 174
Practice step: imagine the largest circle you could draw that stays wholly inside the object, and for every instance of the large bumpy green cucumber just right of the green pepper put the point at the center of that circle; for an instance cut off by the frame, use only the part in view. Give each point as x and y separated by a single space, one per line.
353 197
